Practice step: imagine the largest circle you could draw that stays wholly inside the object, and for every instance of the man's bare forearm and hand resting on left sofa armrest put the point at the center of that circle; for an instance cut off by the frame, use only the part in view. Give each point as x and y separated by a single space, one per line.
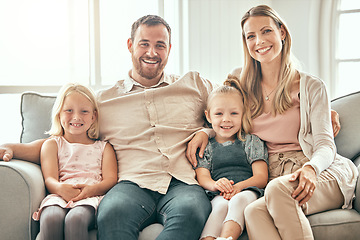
24 151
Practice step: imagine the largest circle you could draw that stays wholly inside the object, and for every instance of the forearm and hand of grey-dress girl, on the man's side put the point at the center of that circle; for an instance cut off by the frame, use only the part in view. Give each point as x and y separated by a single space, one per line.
204 178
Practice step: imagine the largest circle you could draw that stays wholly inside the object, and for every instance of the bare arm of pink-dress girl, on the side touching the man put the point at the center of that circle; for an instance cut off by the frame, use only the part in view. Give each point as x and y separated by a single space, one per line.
109 174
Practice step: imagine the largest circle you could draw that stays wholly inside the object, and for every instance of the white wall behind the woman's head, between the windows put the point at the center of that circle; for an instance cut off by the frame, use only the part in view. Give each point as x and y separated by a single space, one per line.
215 46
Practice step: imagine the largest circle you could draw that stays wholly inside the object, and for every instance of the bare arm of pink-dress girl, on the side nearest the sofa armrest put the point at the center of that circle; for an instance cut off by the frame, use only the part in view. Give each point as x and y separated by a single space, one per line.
50 170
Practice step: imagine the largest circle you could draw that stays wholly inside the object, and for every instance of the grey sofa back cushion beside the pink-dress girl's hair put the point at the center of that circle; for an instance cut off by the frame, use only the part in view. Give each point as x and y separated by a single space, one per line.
36 116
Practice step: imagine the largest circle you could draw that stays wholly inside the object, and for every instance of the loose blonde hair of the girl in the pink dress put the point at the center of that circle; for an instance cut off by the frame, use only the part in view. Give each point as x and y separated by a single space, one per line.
56 128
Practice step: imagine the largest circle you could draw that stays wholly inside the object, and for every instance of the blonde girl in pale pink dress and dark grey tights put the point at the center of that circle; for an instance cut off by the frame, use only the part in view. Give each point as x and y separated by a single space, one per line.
78 169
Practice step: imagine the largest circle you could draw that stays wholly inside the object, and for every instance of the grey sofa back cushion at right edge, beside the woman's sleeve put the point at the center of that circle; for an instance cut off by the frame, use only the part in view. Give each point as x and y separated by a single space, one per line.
348 139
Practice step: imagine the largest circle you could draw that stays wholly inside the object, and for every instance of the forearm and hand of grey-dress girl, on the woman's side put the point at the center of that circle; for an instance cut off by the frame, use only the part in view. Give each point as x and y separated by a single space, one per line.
259 178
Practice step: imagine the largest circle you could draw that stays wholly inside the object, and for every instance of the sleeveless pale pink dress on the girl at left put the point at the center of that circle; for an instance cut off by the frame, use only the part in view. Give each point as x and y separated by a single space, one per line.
78 164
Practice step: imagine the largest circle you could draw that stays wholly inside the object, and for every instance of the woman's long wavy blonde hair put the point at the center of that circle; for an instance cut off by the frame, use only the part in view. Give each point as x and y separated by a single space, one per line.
250 77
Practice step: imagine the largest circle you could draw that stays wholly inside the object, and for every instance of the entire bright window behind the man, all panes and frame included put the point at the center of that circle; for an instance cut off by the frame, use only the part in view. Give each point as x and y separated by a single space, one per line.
46 43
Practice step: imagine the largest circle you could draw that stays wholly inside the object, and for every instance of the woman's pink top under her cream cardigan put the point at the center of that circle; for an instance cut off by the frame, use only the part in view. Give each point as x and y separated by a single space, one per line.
280 132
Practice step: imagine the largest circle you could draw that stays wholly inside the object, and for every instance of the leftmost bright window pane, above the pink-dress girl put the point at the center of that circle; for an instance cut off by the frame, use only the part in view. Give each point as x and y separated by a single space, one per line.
43 43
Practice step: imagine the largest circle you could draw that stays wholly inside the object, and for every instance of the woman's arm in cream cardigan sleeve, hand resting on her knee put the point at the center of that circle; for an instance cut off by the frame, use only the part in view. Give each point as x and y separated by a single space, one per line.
318 129
